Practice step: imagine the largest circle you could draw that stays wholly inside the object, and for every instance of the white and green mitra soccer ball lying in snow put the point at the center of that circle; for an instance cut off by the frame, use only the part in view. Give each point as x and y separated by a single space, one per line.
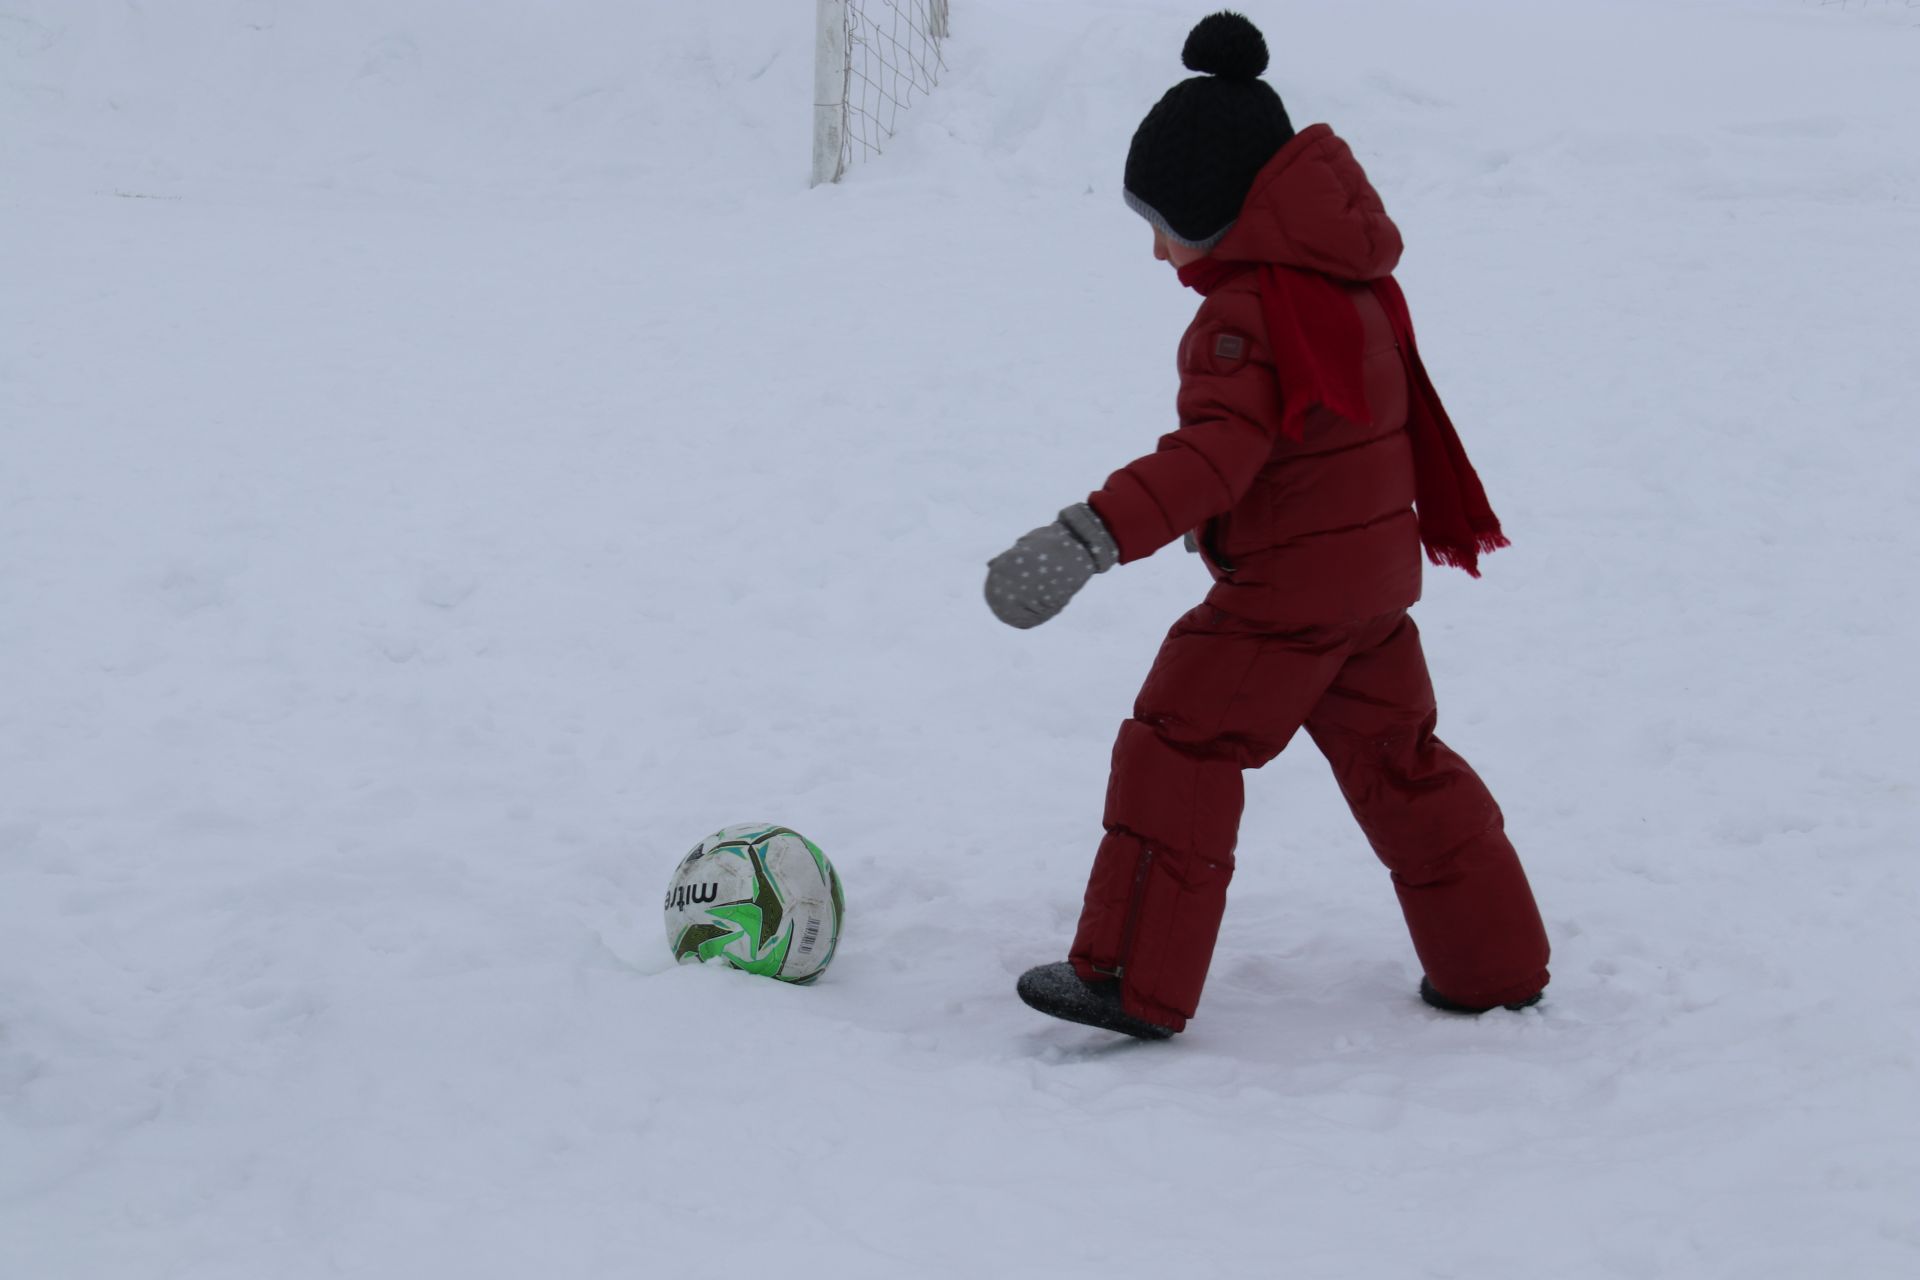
761 899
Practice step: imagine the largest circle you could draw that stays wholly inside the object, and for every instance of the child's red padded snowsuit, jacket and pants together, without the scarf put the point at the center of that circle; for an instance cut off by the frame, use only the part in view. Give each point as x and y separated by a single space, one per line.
1316 557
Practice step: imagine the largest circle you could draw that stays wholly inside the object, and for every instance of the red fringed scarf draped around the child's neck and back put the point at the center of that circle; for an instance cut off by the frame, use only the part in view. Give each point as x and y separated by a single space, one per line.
1316 339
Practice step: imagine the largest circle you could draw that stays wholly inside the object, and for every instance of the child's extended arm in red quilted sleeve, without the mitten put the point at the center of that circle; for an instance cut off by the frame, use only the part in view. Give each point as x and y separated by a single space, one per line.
1230 410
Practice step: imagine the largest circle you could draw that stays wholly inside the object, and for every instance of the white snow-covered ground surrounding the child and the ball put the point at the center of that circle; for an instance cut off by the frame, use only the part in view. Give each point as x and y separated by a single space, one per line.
450 463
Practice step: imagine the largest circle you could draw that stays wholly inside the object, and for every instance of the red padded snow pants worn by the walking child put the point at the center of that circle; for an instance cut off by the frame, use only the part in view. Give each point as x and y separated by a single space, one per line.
1226 698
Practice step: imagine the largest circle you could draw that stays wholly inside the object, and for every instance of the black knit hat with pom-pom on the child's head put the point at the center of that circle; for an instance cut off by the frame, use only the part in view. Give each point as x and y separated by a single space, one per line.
1199 151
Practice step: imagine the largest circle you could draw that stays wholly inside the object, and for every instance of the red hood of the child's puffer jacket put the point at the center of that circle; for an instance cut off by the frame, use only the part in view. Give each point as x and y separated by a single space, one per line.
1314 208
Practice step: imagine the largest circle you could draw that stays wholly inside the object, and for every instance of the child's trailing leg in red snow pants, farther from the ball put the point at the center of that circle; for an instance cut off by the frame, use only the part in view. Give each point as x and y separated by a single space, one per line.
1433 824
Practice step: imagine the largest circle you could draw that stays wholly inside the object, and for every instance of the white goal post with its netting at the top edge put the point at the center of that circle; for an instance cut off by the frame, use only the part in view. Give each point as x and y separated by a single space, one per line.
871 59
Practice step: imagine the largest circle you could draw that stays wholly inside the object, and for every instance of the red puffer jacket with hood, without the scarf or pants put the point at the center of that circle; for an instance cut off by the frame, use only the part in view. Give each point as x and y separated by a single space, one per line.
1308 533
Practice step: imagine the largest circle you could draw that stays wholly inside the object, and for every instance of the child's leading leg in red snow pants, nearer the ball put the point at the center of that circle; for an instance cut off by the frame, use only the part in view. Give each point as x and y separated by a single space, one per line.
1220 699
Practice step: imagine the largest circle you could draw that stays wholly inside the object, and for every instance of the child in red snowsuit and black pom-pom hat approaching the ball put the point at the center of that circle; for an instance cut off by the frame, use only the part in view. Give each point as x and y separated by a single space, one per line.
1310 467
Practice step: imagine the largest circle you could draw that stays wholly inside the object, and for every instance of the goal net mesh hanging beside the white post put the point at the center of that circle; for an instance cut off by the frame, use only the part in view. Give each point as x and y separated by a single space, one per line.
894 53
